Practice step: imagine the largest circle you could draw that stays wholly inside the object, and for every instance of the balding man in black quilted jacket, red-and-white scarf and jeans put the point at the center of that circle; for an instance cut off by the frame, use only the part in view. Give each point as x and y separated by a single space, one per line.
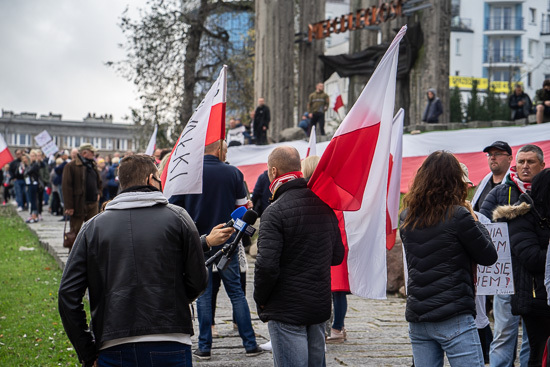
299 240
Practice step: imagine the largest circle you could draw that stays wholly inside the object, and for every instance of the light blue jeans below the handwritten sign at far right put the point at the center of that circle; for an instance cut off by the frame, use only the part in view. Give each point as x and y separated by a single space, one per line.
505 335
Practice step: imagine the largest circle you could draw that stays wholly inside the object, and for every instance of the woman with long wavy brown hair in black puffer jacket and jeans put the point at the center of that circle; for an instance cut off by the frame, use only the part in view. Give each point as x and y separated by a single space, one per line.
443 242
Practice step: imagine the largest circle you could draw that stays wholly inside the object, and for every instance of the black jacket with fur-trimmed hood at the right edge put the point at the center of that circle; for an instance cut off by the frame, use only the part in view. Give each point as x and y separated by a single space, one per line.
529 236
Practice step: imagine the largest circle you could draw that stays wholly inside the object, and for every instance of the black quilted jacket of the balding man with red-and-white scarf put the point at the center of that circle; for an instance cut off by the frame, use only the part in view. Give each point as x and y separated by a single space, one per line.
299 240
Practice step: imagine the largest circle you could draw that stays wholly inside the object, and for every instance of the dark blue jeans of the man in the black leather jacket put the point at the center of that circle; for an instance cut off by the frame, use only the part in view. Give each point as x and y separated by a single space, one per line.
146 354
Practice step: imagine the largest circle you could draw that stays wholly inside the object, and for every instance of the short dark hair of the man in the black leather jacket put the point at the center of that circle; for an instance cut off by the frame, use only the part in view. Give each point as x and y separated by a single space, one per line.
134 169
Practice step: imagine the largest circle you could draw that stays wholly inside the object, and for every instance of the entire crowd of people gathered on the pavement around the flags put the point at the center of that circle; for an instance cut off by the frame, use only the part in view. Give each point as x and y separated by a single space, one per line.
141 256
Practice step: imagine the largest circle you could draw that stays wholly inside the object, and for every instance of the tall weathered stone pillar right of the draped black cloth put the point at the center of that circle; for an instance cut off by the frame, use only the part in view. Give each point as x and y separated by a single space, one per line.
432 68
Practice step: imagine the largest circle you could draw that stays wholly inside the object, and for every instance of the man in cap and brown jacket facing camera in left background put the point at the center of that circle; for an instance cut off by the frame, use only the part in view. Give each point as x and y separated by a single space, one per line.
81 185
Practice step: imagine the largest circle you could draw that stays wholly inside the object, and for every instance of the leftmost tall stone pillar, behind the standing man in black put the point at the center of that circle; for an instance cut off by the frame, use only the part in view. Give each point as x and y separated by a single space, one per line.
274 62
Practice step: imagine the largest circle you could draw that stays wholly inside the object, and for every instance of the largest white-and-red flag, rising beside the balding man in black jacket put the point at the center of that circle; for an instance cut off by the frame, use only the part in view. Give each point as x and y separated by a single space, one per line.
352 176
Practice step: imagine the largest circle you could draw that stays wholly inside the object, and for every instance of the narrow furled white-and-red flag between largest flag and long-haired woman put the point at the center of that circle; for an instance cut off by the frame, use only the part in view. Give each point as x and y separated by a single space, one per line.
394 178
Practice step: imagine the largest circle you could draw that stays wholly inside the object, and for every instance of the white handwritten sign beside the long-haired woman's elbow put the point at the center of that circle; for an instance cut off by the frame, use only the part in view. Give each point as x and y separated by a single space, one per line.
497 278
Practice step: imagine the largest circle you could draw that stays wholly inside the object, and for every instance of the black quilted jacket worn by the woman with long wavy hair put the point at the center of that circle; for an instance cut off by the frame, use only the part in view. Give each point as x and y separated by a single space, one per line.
441 262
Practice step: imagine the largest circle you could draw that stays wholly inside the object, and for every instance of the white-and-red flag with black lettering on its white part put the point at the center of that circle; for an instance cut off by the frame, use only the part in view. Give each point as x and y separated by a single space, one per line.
183 172
